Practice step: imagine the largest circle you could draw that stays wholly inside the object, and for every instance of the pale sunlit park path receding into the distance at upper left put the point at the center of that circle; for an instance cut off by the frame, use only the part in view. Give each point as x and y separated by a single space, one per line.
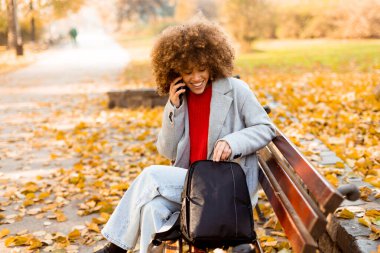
58 78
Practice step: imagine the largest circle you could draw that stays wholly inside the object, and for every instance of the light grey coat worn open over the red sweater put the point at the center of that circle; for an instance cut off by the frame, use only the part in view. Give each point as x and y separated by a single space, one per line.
236 117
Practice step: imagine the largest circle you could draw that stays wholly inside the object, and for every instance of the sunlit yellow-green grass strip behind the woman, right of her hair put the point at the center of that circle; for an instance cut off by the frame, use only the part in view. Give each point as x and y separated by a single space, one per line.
298 55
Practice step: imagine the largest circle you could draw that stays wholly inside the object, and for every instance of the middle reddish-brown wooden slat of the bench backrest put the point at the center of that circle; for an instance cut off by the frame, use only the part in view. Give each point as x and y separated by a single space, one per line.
310 215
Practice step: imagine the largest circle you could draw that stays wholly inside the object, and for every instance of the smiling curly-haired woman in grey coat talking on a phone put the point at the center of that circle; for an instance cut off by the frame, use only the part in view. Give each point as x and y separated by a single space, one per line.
216 117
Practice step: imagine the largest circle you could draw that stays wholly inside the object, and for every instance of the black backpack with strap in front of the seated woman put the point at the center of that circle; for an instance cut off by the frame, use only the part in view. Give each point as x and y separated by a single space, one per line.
216 209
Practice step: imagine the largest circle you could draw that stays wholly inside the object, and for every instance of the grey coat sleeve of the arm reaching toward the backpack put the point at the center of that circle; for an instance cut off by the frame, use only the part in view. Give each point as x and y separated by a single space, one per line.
259 130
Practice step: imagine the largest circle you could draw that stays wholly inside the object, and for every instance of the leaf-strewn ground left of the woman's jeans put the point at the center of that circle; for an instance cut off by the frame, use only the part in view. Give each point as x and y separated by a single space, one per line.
109 149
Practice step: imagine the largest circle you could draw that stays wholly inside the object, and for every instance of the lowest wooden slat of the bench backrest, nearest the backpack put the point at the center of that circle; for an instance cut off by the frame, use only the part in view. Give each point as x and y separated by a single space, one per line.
296 232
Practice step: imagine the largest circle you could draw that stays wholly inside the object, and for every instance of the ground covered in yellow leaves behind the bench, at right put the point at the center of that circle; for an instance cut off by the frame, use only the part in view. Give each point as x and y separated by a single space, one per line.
341 110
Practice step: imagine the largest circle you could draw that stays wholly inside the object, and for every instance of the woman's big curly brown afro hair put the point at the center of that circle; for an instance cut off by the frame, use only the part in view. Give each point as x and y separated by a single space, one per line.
194 44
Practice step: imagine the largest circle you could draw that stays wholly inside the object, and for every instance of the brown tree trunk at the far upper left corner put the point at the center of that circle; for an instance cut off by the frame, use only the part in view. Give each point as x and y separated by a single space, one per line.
14 36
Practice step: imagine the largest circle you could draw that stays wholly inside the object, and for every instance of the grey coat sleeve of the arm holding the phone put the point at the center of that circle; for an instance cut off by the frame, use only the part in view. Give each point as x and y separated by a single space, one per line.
173 128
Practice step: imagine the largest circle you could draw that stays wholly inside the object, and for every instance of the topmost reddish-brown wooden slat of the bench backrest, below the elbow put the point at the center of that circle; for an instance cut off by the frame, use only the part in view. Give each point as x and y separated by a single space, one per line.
325 194
